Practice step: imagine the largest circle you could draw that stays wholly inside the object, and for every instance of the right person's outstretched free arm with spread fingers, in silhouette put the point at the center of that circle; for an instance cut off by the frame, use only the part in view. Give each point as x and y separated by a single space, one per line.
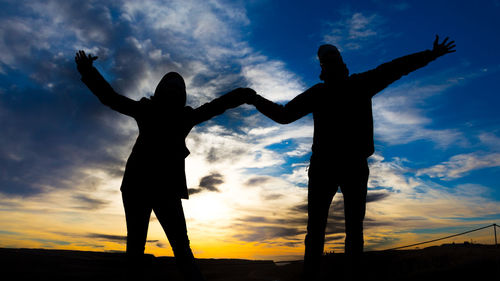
379 78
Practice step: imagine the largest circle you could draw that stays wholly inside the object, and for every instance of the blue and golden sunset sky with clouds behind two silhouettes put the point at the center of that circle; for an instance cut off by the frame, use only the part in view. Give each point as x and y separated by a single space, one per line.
62 154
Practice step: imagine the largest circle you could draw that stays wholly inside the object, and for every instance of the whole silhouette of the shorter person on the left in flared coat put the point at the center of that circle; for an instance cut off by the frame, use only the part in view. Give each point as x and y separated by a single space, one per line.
154 178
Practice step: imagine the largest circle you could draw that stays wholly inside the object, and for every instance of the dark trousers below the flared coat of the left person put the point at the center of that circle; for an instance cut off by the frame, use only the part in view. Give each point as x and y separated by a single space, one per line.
170 214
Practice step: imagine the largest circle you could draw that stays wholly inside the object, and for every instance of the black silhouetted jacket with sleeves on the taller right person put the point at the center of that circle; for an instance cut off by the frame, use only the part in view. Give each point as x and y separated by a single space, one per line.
342 112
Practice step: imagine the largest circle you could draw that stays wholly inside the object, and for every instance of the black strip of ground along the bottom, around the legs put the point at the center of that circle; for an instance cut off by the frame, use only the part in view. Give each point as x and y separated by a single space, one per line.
447 262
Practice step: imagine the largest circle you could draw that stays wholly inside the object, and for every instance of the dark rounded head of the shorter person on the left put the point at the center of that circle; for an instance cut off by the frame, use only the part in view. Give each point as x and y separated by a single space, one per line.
171 90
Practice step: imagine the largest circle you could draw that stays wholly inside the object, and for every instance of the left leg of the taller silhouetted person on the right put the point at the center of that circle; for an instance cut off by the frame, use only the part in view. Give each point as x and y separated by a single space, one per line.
320 194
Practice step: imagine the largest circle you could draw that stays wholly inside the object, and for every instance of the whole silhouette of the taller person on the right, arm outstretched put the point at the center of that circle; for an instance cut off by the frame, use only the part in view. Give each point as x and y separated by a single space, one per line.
342 141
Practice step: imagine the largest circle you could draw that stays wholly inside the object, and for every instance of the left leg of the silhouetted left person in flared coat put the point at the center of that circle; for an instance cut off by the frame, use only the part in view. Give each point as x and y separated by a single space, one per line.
137 214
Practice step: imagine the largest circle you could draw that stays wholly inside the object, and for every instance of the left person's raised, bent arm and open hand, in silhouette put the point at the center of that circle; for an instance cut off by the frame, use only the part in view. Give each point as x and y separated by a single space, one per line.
100 87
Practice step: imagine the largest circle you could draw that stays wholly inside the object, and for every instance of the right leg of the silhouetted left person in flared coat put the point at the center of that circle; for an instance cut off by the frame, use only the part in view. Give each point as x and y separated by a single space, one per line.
170 214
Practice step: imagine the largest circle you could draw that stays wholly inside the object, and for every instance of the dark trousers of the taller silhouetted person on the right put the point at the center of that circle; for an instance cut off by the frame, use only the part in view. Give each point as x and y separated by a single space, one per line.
324 179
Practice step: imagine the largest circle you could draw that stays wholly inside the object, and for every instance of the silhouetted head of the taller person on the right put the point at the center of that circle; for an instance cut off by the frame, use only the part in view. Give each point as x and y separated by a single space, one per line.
332 66
